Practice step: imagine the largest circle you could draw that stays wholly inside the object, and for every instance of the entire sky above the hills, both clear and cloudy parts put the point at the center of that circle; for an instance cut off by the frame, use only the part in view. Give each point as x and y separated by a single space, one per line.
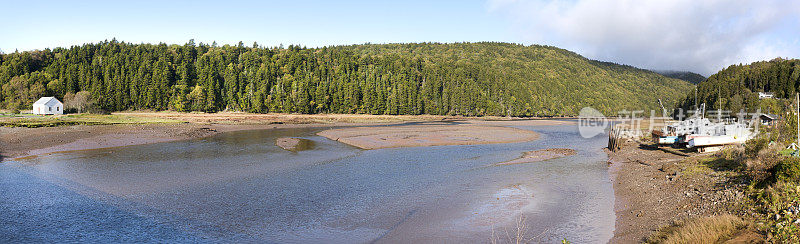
688 35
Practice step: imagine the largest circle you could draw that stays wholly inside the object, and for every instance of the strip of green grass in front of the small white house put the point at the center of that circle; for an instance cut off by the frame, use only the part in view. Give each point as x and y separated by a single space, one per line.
35 121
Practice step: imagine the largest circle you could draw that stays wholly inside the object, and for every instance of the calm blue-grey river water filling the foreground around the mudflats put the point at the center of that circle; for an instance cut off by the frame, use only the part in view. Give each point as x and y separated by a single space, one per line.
241 187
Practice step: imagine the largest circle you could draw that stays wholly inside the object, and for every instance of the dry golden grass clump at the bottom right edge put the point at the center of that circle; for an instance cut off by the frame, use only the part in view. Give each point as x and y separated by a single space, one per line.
713 229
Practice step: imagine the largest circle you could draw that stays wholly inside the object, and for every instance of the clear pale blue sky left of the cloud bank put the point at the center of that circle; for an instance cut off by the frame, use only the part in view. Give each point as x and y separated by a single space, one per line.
305 22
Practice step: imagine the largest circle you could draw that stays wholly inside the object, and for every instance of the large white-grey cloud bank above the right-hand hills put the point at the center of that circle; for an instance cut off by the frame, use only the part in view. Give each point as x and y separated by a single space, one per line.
701 36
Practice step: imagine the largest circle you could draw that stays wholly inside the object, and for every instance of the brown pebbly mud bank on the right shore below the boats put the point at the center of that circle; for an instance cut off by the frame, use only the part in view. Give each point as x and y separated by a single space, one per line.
654 188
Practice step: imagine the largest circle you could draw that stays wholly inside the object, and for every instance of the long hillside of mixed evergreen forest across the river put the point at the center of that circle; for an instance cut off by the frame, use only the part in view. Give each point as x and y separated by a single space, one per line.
425 78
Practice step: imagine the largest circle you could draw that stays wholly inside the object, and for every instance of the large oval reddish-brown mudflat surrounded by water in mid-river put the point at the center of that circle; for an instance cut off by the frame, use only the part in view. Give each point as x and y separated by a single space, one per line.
421 135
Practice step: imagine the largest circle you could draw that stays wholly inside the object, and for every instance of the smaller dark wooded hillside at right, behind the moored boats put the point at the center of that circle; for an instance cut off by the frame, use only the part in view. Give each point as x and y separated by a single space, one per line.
736 87
